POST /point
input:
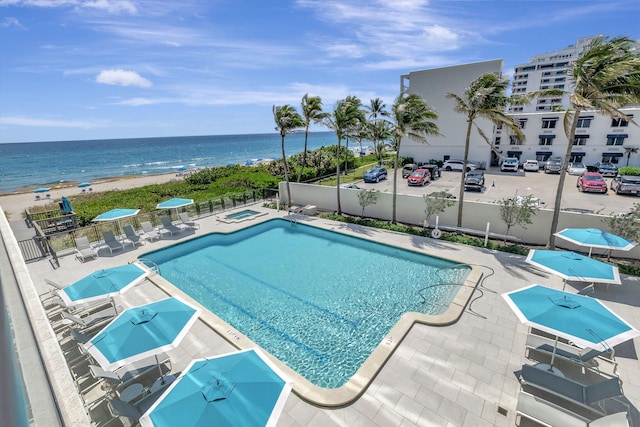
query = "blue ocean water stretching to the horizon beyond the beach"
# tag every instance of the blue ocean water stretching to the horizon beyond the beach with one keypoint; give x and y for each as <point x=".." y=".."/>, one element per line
<point x="40" y="164"/>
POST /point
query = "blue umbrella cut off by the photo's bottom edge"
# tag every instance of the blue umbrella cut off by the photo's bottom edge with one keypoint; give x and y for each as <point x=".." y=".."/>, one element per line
<point x="238" y="389"/>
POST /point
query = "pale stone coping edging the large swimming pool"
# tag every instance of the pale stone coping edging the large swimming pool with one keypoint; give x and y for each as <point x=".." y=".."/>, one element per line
<point x="360" y="381"/>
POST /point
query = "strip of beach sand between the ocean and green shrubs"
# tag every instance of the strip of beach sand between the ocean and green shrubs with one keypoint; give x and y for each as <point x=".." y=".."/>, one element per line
<point x="15" y="204"/>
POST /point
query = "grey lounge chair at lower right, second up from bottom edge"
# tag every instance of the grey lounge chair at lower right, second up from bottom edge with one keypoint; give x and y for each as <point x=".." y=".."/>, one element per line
<point x="571" y="390"/>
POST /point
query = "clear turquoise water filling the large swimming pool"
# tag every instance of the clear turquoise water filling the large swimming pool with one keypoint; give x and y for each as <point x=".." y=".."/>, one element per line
<point x="317" y="300"/>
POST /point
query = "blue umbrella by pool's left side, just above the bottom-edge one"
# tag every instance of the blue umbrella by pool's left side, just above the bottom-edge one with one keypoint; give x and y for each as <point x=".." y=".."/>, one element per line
<point x="142" y="332"/>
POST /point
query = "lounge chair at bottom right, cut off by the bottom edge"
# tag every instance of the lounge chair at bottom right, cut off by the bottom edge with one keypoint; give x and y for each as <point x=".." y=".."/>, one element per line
<point x="549" y="414"/>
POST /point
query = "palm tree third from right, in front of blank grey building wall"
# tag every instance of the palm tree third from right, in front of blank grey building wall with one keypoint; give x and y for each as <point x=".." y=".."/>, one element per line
<point x="411" y="118"/>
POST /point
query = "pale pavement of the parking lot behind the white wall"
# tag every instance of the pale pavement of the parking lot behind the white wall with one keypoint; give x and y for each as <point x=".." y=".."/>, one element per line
<point x="500" y="185"/>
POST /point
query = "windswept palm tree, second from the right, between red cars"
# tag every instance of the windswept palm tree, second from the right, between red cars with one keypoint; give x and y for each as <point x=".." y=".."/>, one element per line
<point x="485" y="98"/>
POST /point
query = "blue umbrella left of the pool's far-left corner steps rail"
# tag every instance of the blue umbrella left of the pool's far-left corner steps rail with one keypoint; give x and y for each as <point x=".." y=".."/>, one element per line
<point x="103" y="284"/>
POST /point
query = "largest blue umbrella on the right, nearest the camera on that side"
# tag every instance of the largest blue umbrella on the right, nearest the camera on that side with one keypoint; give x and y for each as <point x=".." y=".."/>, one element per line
<point x="583" y="320"/>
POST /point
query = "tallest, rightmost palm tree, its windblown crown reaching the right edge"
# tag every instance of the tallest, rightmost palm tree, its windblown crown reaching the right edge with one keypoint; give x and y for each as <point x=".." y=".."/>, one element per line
<point x="606" y="77"/>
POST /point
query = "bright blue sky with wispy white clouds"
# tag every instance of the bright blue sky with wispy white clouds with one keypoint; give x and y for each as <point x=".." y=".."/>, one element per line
<point x="94" y="69"/>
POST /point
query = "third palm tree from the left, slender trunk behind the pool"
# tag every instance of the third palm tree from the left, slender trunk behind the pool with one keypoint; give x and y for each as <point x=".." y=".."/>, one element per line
<point x="346" y="117"/>
